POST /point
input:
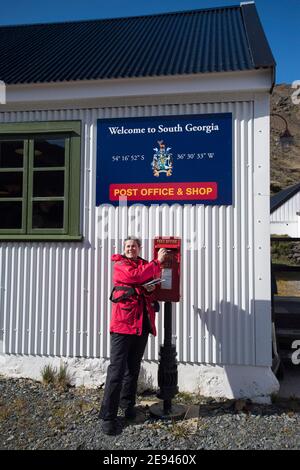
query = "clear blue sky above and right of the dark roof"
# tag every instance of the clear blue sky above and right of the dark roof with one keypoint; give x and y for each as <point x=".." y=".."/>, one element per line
<point x="280" y="19"/>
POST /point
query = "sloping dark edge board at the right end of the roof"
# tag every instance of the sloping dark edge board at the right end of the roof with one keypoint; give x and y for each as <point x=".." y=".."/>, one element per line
<point x="259" y="47"/>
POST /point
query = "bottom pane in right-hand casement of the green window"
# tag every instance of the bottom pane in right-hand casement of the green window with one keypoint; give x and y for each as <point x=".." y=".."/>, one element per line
<point x="48" y="214"/>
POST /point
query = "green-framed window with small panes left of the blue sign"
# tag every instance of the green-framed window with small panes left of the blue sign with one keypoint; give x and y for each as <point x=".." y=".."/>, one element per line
<point x="40" y="180"/>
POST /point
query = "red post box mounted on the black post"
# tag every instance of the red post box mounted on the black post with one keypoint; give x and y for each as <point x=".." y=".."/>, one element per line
<point x="169" y="289"/>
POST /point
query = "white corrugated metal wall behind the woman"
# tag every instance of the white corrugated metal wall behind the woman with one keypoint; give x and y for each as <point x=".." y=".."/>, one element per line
<point x="54" y="296"/>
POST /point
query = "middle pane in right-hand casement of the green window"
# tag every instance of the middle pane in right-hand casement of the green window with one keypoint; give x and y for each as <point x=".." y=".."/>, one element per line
<point x="48" y="183"/>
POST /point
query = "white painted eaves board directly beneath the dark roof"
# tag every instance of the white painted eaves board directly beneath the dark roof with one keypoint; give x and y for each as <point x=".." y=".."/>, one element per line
<point x="93" y="92"/>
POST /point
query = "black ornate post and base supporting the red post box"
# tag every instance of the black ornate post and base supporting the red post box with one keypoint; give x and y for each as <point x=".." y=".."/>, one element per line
<point x="167" y="373"/>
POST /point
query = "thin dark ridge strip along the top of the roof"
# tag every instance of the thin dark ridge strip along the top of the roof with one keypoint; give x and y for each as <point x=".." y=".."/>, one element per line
<point x="89" y="20"/>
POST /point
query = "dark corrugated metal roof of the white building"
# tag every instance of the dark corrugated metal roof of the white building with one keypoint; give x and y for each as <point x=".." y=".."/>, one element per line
<point x="198" y="41"/>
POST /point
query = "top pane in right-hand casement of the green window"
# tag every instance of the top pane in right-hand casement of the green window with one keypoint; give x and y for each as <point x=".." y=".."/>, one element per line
<point x="49" y="152"/>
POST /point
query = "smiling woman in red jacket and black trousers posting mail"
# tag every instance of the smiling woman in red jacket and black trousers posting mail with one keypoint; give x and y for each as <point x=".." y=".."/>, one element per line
<point x="133" y="318"/>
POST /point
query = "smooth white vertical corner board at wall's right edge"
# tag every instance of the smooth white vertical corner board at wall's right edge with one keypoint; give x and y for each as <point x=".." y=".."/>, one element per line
<point x="262" y="282"/>
